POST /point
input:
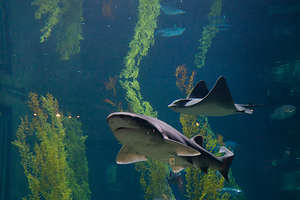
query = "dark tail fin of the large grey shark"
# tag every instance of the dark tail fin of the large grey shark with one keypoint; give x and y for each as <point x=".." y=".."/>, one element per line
<point x="227" y="160"/>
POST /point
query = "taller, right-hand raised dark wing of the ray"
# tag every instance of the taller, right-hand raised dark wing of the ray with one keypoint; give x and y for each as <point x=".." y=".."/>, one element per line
<point x="220" y="94"/>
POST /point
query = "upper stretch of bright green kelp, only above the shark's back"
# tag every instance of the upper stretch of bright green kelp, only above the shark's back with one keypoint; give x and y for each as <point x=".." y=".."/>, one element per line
<point x="138" y="48"/>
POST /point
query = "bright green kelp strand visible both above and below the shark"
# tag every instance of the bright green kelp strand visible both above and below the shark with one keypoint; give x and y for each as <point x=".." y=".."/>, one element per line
<point x="153" y="174"/>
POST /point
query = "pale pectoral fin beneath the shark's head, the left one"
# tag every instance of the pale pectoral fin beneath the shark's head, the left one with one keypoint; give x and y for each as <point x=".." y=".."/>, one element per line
<point x="126" y="156"/>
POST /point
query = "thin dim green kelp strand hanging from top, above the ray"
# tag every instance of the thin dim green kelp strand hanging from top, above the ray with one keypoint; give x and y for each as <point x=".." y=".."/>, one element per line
<point x="208" y="34"/>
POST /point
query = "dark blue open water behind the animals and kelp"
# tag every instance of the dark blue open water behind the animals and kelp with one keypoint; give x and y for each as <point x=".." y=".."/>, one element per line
<point x="244" y="54"/>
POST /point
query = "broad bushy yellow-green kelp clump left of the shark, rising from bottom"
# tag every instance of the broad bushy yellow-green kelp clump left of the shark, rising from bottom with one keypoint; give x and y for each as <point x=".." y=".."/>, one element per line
<point x="52" y="152"/>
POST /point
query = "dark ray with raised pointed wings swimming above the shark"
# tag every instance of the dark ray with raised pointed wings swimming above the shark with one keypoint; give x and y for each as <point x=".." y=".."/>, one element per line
<point x="216" y="102"/>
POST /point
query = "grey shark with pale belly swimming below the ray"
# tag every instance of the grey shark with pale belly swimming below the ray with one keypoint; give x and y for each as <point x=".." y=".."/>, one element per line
<point x="143" y="137"/>
